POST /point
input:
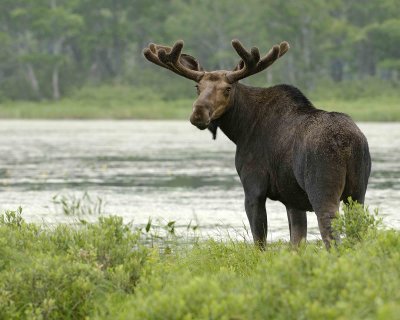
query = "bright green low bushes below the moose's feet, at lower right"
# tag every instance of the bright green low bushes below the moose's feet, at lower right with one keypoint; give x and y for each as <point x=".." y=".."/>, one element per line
<point x="217" y="280"/>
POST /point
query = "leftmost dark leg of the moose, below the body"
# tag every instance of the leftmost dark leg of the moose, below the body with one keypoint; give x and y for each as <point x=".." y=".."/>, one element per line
<point x="257" y="215"/>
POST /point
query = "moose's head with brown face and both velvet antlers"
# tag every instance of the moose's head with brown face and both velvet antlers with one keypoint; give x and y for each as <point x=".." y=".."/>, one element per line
<point x="215" y="89"/>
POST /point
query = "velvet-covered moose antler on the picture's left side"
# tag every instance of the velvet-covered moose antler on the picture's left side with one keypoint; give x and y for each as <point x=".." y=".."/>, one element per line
<point x="172" y="59"/>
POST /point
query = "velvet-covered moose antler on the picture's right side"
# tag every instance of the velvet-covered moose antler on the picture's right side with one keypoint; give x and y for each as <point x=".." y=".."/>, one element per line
<point x="251" y="62"/>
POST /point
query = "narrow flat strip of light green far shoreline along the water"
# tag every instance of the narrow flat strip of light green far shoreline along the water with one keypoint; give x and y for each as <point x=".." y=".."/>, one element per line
<point x="377" y="109"/>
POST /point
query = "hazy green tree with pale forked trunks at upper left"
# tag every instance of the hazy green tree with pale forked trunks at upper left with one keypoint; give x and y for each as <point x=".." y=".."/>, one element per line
<point x="45" y="29"/>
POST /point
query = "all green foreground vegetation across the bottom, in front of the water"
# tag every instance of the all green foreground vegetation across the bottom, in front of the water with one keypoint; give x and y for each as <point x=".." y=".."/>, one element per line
<point x="108" y="270"/>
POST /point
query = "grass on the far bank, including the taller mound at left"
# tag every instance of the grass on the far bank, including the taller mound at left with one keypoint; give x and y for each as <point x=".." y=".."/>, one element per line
<point x="122" y="102"/>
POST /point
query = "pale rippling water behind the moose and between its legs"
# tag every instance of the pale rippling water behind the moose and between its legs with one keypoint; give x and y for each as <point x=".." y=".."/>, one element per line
<point x="167" y="170"/>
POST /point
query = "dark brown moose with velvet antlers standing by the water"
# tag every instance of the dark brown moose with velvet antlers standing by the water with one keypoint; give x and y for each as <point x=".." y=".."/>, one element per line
<point x="286" y="149"/>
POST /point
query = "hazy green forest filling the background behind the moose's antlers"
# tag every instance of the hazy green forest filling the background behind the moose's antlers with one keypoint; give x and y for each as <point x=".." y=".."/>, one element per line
<point x="49" y="48"/>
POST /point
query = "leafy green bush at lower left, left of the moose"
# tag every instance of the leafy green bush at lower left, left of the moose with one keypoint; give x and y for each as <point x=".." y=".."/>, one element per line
<point x="66" y="271"/>
